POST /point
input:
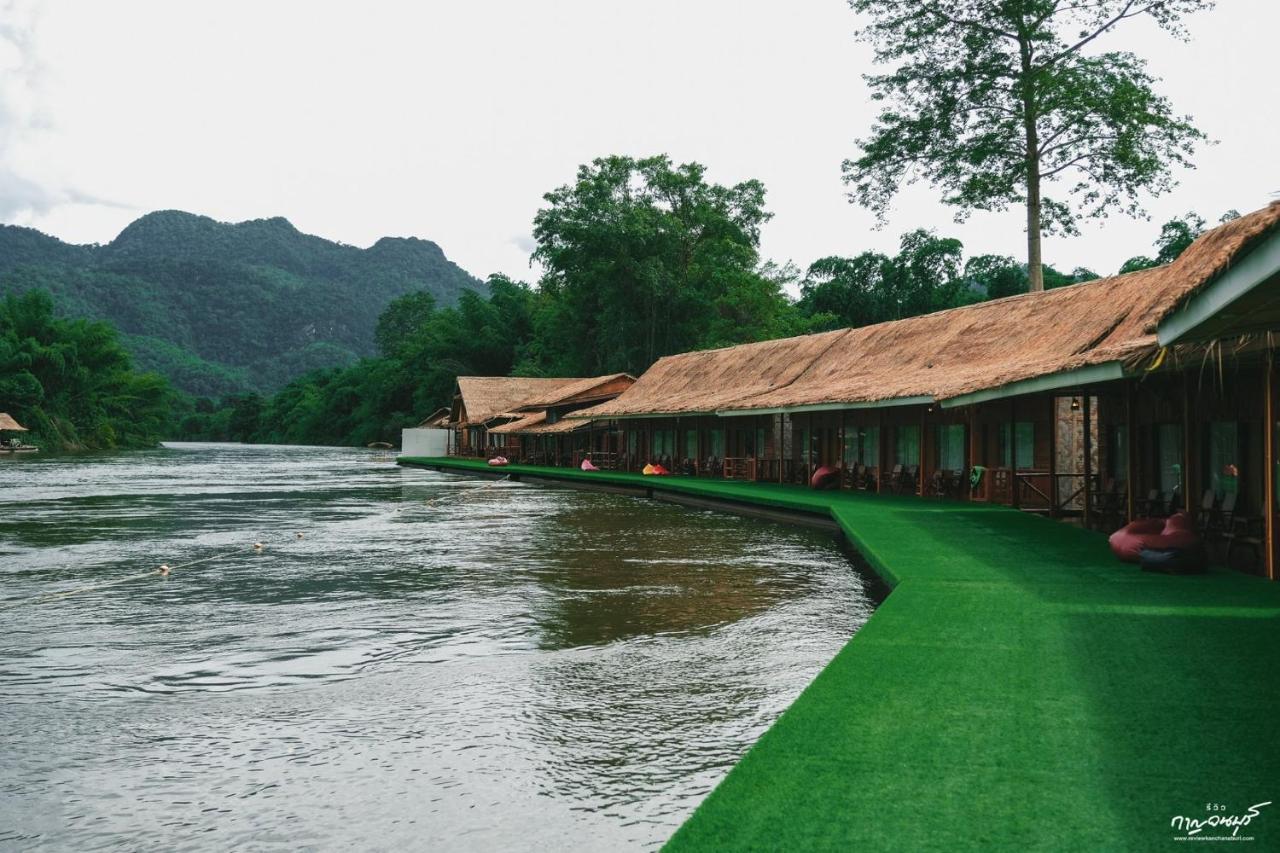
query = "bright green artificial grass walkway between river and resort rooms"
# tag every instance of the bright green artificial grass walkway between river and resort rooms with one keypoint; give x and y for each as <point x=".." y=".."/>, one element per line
<point x="1018" y="690"/>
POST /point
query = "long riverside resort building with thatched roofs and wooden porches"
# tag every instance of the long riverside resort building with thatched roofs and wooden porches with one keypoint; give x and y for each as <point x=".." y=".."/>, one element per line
<point x="1118" y="399"/>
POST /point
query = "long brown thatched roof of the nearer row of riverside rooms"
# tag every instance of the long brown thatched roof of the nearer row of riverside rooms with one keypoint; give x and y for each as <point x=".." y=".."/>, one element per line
<point x="944" y="355"/>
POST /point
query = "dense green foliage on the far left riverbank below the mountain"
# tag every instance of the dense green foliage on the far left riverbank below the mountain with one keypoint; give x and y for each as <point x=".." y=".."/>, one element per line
<point x="72" y="384"/>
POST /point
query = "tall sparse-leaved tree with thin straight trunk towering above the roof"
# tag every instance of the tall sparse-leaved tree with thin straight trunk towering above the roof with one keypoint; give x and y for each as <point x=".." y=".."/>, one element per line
<point x="991" y="101"/>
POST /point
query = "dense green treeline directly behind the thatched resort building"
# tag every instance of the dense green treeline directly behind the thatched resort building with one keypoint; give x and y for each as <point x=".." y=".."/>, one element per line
<point x="680" y="257"/>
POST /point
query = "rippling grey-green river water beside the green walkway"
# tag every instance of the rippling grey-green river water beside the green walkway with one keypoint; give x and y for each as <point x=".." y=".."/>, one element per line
<point x="438" y="663"/>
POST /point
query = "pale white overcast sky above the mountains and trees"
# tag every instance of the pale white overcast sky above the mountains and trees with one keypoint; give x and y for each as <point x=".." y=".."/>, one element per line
<point x="449" y="121"/>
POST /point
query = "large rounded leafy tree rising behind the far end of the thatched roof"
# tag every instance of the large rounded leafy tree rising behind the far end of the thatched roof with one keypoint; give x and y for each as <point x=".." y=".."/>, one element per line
<point x="641" y="256"/>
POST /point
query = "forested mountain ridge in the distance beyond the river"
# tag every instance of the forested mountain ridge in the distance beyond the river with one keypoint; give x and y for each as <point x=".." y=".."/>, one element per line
<point x="225" y="308"/>
